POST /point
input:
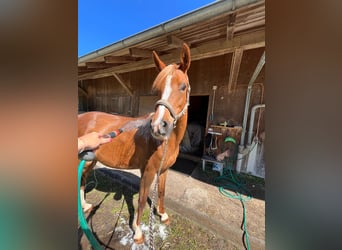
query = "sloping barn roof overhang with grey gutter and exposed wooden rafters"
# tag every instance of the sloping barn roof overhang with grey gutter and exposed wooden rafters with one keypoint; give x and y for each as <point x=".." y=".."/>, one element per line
<point x="213" y="30"/>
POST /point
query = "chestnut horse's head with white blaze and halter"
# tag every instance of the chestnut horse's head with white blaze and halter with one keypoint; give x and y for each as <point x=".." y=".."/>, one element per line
<point x="172" y="83"/>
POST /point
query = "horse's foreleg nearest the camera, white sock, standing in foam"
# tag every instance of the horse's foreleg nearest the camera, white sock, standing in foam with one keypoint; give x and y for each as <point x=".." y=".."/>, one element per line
<point x="145" y="184"/>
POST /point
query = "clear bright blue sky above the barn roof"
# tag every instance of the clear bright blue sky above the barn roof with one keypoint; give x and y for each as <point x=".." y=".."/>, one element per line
<point x="104" y="22"/>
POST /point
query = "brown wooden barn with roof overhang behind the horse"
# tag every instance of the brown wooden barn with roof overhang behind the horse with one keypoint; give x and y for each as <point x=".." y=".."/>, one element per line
<point x="227" y="42"/>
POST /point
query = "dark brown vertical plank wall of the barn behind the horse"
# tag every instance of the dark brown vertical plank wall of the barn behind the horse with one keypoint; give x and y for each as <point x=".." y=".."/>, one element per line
<point x="107" y="94"/>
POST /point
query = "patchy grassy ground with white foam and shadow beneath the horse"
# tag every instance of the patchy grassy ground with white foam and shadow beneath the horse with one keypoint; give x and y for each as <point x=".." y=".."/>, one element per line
<point x="114" y="194"/>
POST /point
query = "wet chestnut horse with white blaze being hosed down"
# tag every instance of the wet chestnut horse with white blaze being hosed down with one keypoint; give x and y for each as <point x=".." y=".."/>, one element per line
<point x="144" y="147"/>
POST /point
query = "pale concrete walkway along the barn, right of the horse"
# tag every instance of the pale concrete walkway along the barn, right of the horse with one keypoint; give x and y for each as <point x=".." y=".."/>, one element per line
<point x="190" y="192"/>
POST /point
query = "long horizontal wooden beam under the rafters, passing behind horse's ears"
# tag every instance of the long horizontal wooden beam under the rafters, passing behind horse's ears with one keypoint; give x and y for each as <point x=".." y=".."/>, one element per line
<point x="210" y="49"/>
